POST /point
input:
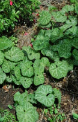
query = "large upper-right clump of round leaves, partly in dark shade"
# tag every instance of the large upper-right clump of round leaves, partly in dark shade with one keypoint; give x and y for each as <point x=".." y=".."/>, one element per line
<point x="59" y="44"/>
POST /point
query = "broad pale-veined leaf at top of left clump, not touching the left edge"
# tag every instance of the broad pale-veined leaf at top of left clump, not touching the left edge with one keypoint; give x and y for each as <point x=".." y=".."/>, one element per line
<point x="14" y="54"/>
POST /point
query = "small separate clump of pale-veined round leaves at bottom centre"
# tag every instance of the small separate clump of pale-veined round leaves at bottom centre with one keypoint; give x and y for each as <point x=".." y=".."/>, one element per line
<point x="44" y="94"/>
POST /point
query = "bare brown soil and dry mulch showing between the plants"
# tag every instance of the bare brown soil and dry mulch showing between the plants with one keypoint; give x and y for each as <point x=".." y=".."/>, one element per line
<point x="68" y="85"/>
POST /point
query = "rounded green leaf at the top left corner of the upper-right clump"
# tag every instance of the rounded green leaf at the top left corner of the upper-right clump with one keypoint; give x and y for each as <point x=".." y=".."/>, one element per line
<point x="45" y="17"/>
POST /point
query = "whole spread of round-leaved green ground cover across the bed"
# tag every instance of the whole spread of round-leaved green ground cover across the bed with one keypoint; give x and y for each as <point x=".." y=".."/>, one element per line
<point x="55" y="50"/>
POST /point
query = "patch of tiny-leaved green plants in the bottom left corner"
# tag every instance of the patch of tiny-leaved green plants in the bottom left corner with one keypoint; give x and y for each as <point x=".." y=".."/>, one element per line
<point x="6" y="116"/>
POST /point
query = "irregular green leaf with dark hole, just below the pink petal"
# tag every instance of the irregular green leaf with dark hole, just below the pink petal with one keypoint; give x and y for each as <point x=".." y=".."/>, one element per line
<point x="31" y="53"/>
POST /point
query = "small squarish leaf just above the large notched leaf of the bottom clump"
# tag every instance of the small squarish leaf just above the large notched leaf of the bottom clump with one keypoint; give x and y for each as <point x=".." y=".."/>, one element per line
<point x="38" y="79"/>
